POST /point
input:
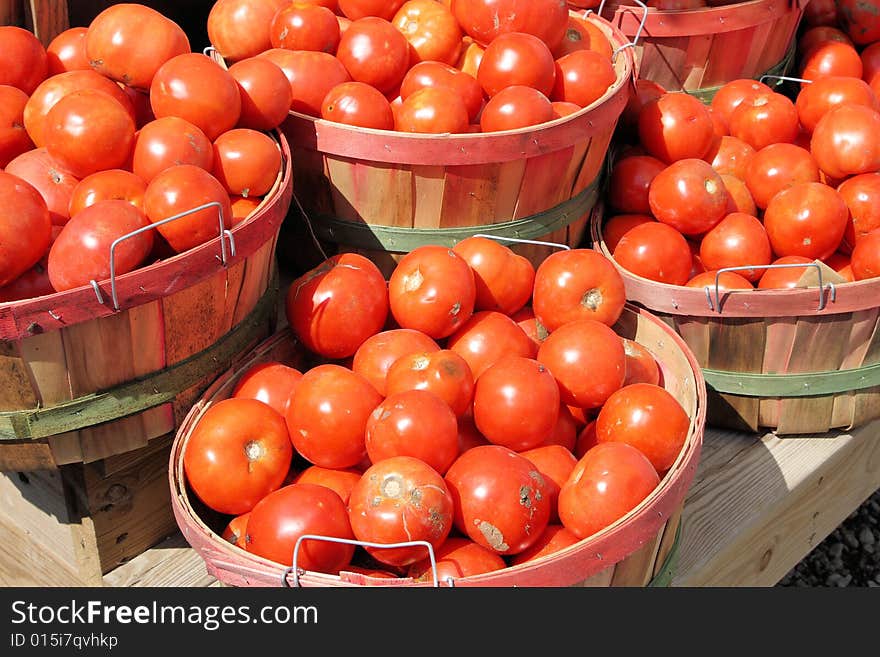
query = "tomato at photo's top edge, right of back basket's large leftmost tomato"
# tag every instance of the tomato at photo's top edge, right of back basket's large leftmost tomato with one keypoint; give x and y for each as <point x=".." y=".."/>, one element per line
<point x="304" y="27"/>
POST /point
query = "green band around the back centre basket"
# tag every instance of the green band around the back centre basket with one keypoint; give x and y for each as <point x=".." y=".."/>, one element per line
<point x="404" y="239"/>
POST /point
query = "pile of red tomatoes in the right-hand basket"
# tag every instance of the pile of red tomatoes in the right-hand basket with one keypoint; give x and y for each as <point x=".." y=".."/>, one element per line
<point x="759" y="177"/>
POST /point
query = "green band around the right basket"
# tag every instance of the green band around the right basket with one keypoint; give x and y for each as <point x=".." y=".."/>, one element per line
<point x="793" y="385"/>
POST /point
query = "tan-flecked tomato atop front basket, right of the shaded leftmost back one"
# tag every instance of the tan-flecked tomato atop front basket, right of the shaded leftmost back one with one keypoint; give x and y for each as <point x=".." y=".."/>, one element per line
<point x="432" y="289"/>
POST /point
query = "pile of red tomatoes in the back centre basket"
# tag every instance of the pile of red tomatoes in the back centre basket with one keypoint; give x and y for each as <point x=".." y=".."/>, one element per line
<point x="423" y="66"/>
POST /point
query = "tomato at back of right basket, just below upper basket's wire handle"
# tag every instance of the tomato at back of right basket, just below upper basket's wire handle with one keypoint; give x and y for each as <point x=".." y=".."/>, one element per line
<point x="765" y="119"/>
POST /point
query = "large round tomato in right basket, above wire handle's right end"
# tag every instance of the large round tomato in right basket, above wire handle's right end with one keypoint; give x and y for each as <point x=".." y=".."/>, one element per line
<point x="807" y="219"/>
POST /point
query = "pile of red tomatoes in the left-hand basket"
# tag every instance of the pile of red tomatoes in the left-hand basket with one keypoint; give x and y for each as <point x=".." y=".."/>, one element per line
<point x="117" y="126"/>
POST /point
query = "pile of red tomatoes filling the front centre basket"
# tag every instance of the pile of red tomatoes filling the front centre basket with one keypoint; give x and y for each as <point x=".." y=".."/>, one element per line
<point x="471" y="402"/>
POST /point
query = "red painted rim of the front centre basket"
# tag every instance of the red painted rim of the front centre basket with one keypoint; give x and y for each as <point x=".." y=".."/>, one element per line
<point x="585" y="558"/>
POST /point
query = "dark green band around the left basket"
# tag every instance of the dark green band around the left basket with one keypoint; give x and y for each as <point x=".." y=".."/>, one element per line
<point x="146" y="392"/>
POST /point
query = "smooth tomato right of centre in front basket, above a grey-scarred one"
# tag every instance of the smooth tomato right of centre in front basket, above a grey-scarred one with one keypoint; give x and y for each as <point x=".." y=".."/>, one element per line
<point x="516" y="403"/>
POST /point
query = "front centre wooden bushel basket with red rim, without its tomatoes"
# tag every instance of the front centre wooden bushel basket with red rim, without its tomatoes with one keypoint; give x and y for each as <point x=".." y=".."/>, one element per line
<point x="636" y="550"/>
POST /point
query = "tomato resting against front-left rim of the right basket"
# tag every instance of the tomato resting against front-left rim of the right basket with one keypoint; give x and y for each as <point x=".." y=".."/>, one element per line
<point x="655" y="251"/>
